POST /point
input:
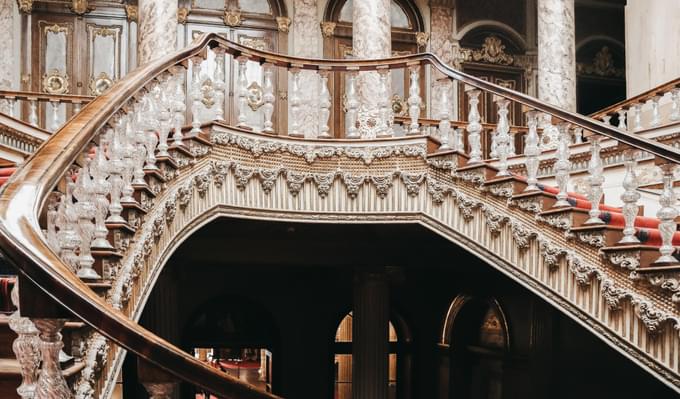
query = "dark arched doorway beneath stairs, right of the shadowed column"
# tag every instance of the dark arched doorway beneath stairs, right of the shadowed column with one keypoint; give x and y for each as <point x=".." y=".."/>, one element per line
<point x="476" y="336"/>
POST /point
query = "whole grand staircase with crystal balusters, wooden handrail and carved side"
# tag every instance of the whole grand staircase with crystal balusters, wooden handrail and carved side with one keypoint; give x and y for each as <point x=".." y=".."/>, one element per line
<point x="90" y="219"/>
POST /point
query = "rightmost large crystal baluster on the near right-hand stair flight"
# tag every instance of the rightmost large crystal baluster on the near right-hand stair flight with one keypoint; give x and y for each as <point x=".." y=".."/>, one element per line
<point x="667" y="214"/>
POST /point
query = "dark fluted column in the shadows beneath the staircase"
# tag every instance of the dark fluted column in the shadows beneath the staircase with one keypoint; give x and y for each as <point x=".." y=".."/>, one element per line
<point x="370" y="333"/>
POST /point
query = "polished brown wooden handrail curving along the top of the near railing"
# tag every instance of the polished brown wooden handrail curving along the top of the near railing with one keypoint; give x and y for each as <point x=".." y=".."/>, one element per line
<point x="25" y="194"/>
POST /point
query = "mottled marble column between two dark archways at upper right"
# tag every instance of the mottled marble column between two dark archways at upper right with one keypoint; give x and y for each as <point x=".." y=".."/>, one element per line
<point x="557" y="53"/>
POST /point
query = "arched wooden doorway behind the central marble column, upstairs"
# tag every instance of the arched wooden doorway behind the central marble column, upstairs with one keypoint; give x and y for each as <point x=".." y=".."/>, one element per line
<point x="407" y="26"/>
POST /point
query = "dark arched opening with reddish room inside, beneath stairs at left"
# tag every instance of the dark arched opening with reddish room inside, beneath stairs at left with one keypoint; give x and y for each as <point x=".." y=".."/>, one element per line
<point x="237" y="336"/>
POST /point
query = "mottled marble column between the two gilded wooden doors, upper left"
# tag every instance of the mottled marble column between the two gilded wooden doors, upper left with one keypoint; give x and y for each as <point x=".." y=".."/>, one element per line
<point x="157" y="29"/>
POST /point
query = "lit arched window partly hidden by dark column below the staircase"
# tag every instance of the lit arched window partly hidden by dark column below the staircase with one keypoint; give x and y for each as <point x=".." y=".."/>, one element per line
<point x="398" y="360"/>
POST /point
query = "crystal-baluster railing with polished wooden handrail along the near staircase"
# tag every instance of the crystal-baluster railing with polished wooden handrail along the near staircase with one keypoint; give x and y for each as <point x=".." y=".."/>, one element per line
<point x="94" y="182"/>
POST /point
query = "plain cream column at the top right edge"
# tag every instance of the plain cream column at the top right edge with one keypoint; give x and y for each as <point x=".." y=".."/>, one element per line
<point x="652" y="35"/>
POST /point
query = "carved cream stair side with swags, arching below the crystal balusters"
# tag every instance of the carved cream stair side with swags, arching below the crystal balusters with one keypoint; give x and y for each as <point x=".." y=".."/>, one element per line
<point x="244" y="175"/>
